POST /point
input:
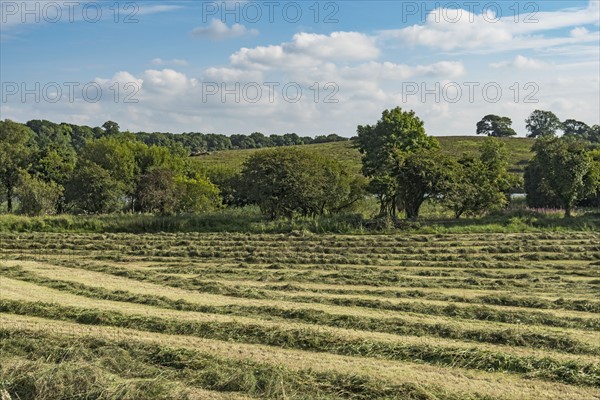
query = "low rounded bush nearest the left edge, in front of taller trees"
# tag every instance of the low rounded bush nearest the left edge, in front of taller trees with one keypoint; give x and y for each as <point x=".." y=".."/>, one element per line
<point x="36" y="196"/>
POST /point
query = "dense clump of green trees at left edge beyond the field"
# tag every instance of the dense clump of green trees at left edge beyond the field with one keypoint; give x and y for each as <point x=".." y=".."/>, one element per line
<point x="51" y="168"/>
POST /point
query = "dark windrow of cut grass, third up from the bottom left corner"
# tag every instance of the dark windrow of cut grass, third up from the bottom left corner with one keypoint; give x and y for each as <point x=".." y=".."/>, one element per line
<point x="504" y="336"/>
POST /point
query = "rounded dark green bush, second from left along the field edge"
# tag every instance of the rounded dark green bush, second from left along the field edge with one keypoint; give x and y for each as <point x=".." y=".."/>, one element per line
<point x="93" y="190"/>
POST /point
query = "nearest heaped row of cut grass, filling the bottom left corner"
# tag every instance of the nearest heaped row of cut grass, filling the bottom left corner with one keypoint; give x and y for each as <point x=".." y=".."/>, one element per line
<point x="59" y="357"/>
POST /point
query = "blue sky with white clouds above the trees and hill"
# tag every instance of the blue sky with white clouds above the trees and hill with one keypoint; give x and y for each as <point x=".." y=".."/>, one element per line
<point x="308" y="67"/>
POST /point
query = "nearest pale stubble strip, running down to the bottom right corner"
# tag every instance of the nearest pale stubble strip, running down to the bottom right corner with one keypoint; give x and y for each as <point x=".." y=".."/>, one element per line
<point x="446" y="381"/>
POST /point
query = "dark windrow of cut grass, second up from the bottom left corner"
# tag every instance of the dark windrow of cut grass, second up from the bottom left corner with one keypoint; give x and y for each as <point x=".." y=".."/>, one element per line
<point x="570" y="372"/>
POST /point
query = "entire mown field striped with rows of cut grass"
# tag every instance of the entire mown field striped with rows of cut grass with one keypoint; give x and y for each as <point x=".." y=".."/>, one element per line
<point x="300" y="316"/>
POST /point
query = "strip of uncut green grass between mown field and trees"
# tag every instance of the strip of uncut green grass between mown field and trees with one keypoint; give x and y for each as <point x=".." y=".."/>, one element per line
<point x="249" y="220"/>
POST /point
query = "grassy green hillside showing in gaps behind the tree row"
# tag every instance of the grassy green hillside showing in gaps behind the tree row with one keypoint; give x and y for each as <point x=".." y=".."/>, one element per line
<point x="519" y="150"/>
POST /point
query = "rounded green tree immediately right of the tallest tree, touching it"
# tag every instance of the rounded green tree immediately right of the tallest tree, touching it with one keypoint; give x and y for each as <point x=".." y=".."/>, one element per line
<point x="422" y="174"/>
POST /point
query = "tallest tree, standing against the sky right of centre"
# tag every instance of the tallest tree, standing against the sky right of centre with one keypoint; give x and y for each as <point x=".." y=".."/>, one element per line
<point x="379" y="144"/>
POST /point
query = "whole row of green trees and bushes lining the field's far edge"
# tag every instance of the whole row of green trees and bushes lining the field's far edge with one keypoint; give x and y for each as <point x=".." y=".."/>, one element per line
<point x="63" y="168"/>
